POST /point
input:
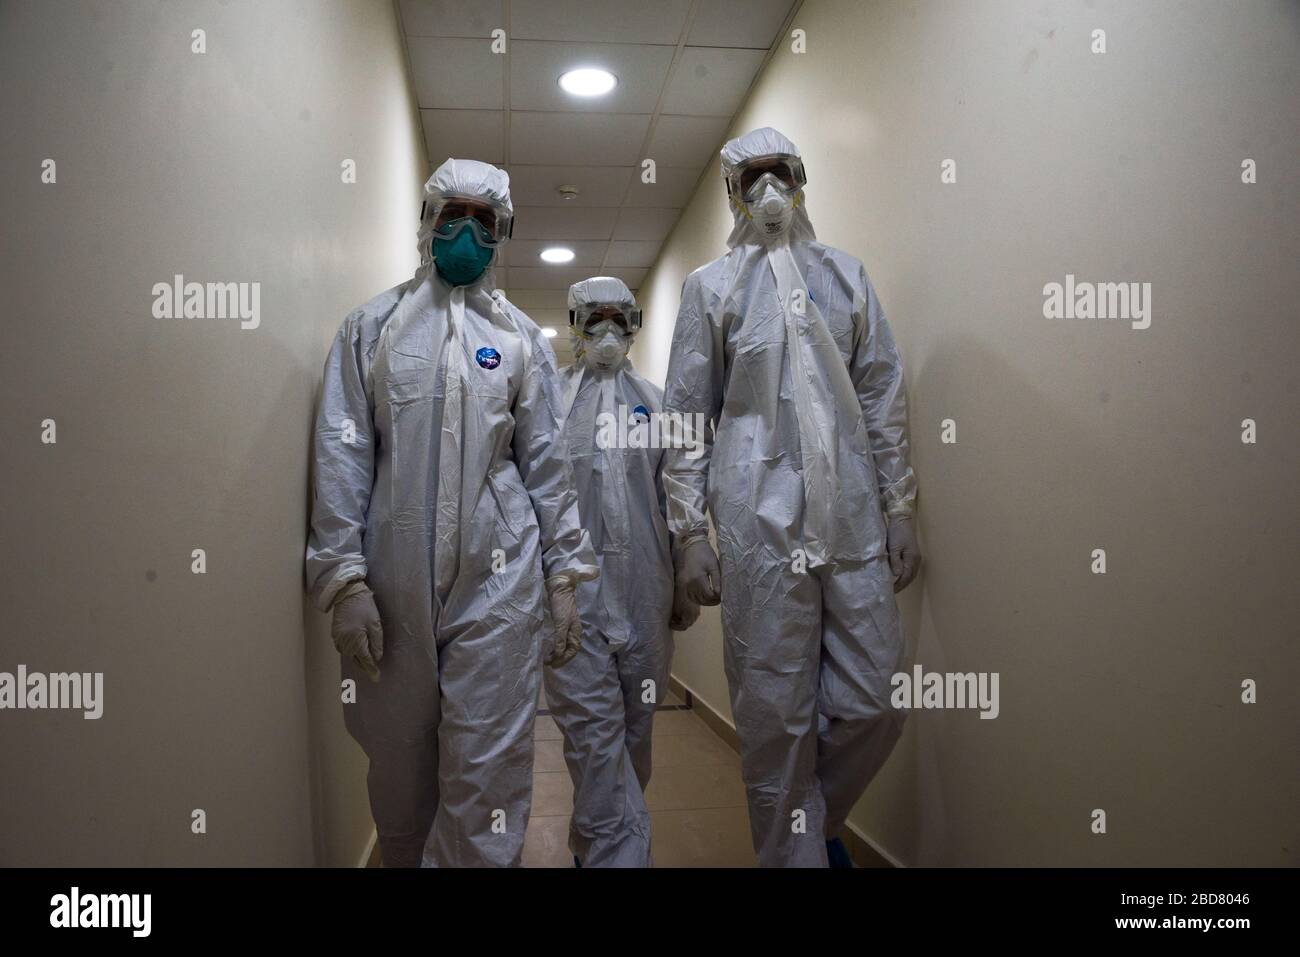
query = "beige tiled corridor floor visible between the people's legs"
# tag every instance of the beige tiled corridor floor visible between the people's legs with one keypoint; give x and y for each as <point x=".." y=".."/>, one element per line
<point x="696" y="798"/>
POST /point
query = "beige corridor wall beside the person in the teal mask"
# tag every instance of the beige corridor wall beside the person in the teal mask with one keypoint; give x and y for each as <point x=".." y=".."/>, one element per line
<point x="181" y="435"/>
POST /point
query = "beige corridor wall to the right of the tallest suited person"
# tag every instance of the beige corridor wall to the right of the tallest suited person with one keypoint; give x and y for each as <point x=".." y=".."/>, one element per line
<point x="1121" y="691"/>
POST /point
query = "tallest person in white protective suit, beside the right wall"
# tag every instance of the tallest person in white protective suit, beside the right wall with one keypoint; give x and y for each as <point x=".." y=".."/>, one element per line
<point x="783" y="347"/>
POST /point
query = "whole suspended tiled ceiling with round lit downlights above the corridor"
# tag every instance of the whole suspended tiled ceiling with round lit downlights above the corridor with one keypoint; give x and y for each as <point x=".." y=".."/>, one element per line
<point x="683" y="70"/>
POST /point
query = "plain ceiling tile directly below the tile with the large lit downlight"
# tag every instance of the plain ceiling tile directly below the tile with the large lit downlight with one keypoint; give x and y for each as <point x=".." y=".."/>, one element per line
<point x="597" y="140"/>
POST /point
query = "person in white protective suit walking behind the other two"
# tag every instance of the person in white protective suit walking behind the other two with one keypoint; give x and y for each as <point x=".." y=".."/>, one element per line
<point x="604" y="701"/>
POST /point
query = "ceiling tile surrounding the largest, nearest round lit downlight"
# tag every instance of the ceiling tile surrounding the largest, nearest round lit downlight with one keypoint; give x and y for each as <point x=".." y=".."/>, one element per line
<point x="536" y="68"/>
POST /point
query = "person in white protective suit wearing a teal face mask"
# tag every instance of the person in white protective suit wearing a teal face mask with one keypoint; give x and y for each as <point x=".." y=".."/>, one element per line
<point x="444" y="505"/>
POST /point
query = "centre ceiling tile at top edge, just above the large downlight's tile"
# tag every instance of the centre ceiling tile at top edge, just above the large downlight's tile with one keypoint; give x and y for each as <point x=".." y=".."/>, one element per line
<point x="612" y="21"/>
